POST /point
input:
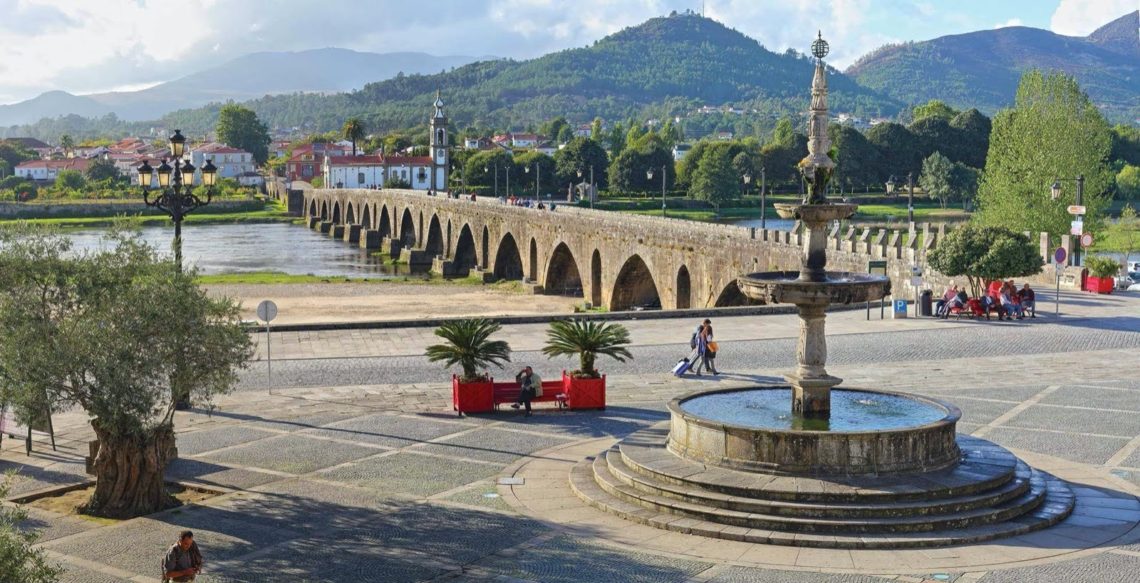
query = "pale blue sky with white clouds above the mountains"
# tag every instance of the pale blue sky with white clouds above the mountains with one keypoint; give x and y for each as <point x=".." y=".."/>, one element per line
<point x="89" y="46"/>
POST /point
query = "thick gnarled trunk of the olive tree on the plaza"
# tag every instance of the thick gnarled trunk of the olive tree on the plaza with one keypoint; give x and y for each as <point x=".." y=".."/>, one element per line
<point x="129" y="473"/>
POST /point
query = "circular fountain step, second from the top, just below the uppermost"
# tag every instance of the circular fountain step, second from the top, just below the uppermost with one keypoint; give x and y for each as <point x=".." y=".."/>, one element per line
<point x="862" y="509"/>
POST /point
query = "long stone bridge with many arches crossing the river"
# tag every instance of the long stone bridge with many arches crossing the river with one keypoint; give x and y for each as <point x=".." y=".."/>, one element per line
<point x="617" y="261"/>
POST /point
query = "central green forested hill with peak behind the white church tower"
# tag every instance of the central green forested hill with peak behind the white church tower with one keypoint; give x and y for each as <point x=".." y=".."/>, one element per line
<point x="664" y="67"/>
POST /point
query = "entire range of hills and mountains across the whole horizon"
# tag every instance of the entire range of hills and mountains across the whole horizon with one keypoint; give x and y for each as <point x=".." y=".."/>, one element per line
<point x="663" y="68"/>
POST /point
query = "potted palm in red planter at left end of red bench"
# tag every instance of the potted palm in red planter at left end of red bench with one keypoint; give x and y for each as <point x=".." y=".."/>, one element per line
<point x="468" y="345"/>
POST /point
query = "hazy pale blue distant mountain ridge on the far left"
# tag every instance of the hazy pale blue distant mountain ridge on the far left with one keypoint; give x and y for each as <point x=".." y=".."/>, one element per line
<point x="320" y="71"/>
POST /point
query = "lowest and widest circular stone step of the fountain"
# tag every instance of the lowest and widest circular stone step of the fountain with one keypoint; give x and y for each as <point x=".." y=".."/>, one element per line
<point x="1056" y="503"/>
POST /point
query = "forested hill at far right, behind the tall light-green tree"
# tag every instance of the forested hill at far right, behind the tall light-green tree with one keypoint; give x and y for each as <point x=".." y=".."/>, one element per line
<point x="982" y="69"/>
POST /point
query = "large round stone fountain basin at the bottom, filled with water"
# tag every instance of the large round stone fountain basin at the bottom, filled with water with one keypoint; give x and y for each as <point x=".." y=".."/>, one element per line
<point x="744" y="430"/>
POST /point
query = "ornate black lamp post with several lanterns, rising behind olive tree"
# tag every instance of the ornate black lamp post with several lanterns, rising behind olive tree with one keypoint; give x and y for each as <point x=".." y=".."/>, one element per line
<point x="175" y="196"/>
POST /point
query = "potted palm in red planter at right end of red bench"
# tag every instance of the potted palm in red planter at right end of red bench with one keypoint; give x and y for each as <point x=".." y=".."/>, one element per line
<point x="585" y="388"/>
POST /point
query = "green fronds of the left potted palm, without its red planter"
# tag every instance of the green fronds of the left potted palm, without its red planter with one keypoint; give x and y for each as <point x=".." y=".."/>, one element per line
<point x="468" y="346"/>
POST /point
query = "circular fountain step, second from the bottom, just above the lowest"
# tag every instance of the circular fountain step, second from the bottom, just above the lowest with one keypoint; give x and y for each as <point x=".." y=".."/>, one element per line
<point x="887" y="523"/>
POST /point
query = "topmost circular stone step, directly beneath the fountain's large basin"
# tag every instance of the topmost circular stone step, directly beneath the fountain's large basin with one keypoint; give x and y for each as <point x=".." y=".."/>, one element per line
<point x="986" y="466"/>
